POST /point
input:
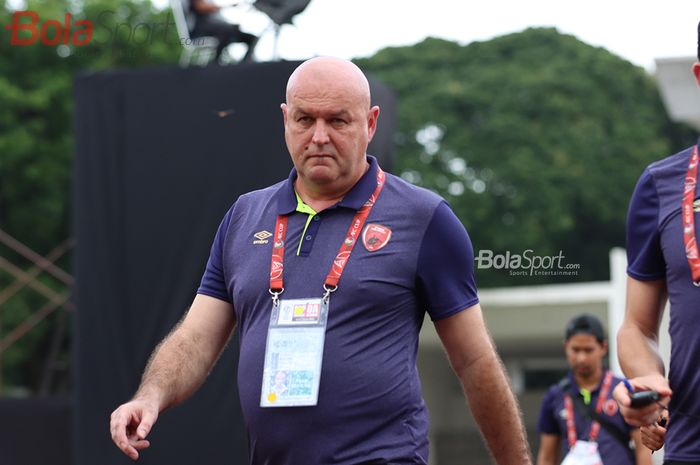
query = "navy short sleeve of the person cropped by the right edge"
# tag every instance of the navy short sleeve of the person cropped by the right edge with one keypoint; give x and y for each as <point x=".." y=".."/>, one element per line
<point x="644" y="256"/>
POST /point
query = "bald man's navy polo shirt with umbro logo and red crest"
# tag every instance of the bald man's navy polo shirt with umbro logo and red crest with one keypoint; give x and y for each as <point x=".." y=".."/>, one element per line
<point x="370" y="407"/>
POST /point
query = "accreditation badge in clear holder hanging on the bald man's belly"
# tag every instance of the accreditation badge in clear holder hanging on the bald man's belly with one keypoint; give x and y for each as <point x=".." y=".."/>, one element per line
<point x="294" y="353"/>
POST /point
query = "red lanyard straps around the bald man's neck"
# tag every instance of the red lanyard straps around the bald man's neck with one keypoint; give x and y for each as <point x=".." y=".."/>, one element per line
<point x="341" y="259"/>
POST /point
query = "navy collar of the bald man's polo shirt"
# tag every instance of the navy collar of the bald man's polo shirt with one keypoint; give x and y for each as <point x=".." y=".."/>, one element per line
<point x="355" y="199"/>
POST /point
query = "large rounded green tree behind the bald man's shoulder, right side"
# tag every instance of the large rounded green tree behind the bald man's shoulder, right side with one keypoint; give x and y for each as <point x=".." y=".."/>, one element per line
<point x="536" y="139"/>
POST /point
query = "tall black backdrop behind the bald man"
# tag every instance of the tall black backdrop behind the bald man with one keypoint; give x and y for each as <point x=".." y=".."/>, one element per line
<point x="160" y="156"/>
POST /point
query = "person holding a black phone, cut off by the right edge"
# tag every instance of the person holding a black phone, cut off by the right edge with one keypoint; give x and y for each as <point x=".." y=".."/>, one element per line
<point x="664" y="265"/>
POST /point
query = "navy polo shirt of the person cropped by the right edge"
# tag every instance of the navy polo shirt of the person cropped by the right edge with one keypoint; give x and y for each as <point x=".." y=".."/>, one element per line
<point x="655" y="250"/>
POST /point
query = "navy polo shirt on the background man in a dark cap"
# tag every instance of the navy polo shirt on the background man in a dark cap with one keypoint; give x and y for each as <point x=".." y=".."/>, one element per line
<point x="552" y="420"/>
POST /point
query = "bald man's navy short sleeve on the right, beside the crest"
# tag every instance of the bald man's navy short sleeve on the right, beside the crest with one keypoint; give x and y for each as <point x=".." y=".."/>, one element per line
<point x="445" y="271"/>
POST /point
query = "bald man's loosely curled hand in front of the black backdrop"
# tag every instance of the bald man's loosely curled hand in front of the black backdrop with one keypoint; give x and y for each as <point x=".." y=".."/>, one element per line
<point x="130" y="424"/>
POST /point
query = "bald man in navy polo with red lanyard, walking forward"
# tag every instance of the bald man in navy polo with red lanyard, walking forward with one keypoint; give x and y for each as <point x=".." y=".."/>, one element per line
<point x="334" y="300"/>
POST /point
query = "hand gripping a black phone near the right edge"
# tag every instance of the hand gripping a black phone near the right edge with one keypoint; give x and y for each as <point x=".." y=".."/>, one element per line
<point x="643" y="416"/>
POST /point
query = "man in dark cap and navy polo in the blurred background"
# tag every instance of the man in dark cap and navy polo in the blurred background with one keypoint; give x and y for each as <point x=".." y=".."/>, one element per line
<point x="588" y="387"/>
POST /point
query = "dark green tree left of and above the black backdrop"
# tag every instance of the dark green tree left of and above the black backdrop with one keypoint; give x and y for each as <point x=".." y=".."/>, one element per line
<point x="36" y="147"/>
